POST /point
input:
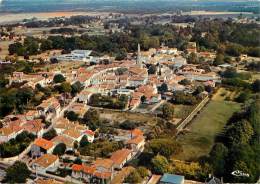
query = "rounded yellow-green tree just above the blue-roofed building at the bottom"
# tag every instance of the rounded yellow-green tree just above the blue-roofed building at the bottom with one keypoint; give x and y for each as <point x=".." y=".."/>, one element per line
<point x="160" y="164"/>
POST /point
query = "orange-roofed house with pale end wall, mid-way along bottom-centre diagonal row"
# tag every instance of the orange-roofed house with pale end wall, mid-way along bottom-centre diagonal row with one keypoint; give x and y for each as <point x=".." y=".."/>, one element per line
<point x="121" y="157"/>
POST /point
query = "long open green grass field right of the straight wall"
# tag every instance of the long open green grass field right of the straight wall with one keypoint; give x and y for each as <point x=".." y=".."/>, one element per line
<point x="203" y="129"/>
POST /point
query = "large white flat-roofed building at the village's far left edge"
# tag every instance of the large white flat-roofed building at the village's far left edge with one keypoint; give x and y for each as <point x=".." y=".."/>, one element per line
<point x="76" y="55"/>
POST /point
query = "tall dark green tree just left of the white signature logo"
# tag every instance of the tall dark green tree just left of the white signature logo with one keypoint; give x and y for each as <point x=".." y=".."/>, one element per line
<point x="218" y="156"/>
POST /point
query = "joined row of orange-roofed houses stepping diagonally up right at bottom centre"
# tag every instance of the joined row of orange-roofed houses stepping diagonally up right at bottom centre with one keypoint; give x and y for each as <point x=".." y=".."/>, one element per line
<point x="103" y="170"/>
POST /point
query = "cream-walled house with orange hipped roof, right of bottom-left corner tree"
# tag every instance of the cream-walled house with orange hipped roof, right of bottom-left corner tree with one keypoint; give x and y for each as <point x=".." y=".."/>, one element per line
<point x="46" y="162"/>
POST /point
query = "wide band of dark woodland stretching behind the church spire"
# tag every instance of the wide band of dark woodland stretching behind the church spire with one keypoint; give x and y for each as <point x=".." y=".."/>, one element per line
<point x="226" y="37"/>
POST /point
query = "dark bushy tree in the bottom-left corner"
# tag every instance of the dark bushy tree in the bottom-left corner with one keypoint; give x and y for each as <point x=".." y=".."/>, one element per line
<point x="17" y="173"/>
